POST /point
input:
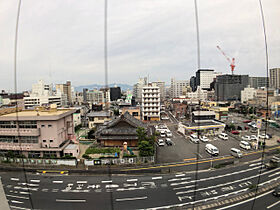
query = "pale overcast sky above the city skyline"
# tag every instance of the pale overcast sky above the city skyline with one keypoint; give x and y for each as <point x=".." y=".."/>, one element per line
<point x="61" y="40"/>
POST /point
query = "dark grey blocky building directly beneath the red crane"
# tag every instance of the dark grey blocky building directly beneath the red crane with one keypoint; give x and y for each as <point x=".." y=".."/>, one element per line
<point x="228" y="87"/>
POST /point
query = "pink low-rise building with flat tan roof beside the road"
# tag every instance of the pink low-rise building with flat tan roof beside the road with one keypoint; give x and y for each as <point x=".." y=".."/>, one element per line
<point x="38" y="133"/>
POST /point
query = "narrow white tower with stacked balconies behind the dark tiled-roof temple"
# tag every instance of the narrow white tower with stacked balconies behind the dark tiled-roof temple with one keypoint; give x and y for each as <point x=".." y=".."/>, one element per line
<point x="151" y="103"/>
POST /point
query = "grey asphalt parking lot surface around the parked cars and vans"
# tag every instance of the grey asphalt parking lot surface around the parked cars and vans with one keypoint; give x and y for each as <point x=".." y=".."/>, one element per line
<point x="183" y="149"/>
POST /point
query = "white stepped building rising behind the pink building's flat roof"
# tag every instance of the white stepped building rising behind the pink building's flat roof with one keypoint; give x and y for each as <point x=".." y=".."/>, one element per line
<point x="42" y="94"/>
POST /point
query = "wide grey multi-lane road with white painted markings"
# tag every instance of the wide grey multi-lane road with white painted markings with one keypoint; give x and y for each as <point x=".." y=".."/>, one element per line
<point x="153" y="191"/>
